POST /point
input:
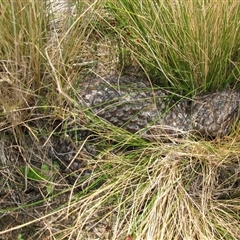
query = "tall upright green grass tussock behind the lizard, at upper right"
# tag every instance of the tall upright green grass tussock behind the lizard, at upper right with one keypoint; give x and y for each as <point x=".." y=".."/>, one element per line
<point x="187" y="45"/>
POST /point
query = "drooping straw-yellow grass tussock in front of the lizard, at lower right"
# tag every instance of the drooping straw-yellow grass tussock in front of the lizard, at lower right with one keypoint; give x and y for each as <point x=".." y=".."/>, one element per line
<point x="184" y="192"/>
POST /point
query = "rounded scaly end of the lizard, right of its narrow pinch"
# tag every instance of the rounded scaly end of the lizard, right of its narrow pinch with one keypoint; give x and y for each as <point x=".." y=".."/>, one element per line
<point x="213" y="114"/>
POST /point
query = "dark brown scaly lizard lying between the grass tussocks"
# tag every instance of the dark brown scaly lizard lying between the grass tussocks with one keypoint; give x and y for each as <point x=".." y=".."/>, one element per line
<point x="133" y="104"/>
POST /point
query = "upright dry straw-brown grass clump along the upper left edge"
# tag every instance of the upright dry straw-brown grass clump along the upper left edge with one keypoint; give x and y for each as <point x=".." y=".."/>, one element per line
<point x="22" y="64"/>
